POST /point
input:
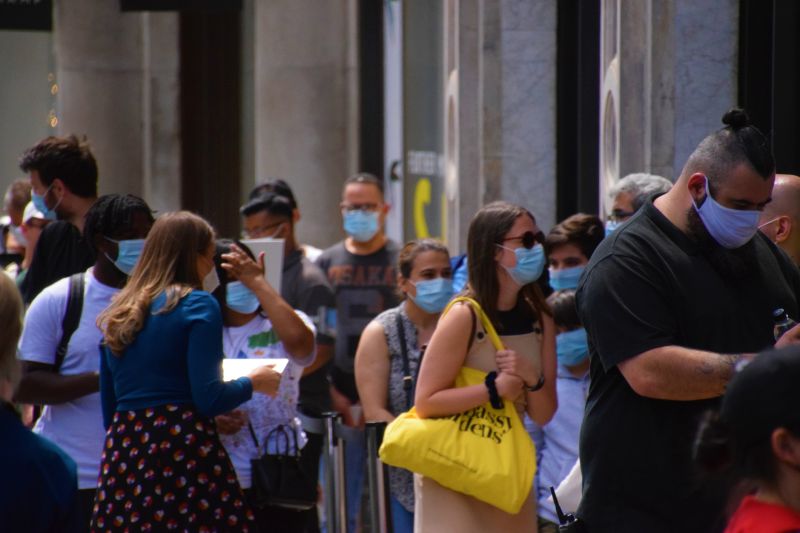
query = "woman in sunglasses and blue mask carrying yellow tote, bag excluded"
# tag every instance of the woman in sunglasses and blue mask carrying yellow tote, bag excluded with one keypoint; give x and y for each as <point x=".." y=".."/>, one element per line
<point x="506" y="257"/>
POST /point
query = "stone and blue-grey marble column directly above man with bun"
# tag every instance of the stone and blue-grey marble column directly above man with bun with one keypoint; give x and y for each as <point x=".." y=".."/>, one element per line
<point x="678" y="76"/>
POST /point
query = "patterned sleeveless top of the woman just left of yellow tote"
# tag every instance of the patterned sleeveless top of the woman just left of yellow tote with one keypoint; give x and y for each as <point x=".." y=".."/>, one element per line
<point x="401" y="482"/>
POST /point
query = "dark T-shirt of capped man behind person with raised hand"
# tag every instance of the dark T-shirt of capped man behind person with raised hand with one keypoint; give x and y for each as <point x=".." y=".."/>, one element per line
<point x="306" y="288"/>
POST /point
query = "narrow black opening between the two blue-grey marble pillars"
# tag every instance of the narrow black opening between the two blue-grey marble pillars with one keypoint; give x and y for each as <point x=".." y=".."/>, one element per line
<point x="577" y="107"/>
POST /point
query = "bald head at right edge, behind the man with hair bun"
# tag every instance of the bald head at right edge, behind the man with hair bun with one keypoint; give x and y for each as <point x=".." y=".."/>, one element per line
<point x="780" y="220"/>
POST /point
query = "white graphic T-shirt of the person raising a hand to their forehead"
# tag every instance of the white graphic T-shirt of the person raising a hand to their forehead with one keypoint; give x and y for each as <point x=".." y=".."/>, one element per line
<point x="257" y="340"/>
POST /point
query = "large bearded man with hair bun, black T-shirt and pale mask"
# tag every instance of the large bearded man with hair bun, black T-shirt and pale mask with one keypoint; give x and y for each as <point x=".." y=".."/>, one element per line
<point x="673" y="302"/>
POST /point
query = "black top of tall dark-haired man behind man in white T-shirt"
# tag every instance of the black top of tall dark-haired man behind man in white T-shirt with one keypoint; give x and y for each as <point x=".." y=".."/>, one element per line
<point x="60" y="252"/>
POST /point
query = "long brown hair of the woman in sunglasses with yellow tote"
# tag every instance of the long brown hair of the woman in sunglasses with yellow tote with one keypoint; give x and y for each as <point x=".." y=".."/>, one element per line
<point x="488" y="228"/>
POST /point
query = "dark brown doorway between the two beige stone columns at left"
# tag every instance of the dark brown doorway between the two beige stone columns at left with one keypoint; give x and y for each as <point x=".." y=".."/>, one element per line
<point x="210" y="53"/>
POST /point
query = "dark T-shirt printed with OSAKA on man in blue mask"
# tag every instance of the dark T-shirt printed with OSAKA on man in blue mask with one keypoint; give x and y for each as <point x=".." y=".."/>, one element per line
<point x="364" y="286"/>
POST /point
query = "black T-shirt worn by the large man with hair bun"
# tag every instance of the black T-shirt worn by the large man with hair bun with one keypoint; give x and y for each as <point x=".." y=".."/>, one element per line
<point x="648" y="286"/>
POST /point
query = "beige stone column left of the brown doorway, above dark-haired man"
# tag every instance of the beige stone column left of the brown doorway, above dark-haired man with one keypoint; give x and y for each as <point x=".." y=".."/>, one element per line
<point x="118" y="78"/>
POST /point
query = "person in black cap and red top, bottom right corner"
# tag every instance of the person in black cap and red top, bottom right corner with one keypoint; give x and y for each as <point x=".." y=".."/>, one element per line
<point x="756" y="435"/>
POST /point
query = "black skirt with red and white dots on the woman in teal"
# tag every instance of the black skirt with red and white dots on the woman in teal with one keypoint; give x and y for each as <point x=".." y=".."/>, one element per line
<point x="163" y="469"/>
